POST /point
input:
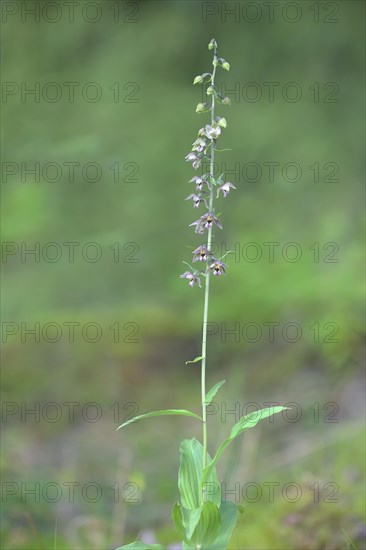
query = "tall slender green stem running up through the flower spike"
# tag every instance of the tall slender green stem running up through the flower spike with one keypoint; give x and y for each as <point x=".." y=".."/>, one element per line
<point x="207" y="288"/>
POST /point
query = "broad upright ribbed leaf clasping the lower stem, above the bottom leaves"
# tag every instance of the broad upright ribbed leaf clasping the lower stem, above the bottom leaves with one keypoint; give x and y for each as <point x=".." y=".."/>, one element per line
<point x="190" y="480"/>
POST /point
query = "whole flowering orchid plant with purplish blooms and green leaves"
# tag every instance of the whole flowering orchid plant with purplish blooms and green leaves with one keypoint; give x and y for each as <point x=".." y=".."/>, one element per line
<point x="202" y="519"/>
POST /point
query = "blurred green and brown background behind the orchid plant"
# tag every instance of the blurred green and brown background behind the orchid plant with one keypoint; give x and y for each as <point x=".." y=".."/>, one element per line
<point x="69" y="479"/>
